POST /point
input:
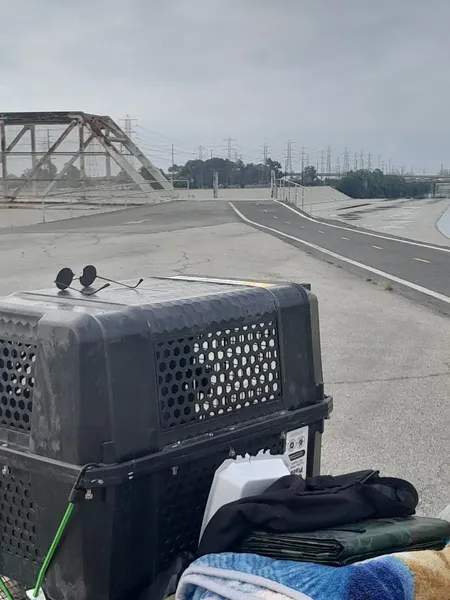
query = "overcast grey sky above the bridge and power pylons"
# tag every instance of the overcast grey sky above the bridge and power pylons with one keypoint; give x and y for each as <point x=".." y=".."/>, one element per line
<point x="367" y="74"/>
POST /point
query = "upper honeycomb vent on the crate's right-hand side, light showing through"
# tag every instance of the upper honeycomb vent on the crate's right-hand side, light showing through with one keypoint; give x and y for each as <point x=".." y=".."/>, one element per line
<point x="216" y="373"/>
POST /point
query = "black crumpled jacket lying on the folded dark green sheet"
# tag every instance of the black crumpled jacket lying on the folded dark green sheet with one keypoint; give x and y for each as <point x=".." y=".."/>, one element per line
<point x="293" y="504"/>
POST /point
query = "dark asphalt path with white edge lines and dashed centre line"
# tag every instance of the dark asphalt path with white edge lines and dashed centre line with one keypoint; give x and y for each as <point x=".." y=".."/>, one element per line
<point x="417" y="269"/>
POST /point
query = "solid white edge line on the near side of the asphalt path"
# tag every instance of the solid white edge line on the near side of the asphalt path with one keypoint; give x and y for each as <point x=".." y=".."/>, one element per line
<point x="394" y="278"/>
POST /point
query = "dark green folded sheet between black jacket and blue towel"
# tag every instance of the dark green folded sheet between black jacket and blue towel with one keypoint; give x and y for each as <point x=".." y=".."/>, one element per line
<point x="351" y="543"/>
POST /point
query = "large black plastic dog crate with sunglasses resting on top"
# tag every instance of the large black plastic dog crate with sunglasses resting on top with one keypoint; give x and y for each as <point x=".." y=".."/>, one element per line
<point x="157" y="386"/>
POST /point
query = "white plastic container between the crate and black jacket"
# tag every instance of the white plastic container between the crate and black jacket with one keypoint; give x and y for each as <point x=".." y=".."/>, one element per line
<point x="242" y="477"/>
